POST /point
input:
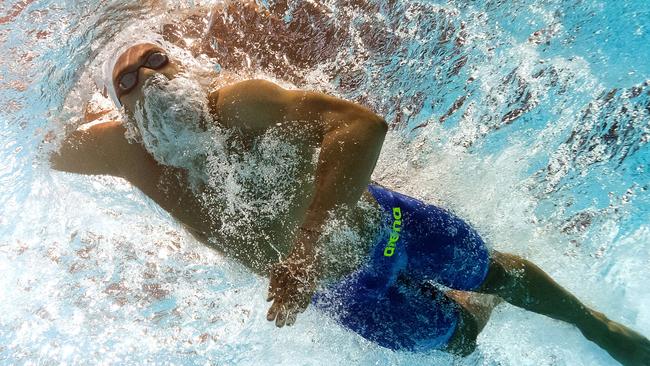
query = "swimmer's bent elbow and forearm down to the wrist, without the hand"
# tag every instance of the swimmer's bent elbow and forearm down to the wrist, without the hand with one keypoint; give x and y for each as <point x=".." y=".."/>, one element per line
<point x="350" y="138"/>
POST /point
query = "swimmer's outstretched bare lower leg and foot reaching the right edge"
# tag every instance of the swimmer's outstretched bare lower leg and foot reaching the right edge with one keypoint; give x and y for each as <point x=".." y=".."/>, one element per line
<point x="523" y="284"/>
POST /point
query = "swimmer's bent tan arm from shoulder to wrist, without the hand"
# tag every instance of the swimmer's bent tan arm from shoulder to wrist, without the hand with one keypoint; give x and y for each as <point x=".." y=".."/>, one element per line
<point x="349" y="135"/>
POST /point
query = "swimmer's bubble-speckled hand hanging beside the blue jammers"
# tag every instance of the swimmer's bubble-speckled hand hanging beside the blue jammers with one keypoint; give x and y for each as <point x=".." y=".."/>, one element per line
<point x="292" y="285"/>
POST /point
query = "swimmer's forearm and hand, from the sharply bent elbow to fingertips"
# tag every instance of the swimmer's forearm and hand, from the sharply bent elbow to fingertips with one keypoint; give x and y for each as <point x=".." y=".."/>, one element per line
<point x="350" y="139"/>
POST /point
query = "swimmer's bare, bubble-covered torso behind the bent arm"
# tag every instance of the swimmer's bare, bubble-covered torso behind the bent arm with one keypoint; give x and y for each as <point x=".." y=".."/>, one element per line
<point x="251" y="213"/>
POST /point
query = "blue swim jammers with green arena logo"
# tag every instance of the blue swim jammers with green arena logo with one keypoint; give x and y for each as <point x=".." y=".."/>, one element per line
<point x="420" y="242"/>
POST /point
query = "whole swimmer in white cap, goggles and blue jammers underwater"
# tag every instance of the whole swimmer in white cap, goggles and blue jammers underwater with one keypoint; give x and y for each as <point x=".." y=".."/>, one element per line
<point x="393" y="297"/>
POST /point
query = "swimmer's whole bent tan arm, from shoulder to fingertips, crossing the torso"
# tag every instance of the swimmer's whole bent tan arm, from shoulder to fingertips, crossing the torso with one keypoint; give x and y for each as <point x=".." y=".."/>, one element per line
<point x="350" y="139"/>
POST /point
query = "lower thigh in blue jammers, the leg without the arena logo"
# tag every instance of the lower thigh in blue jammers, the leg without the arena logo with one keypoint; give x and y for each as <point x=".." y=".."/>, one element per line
<point x="395" y="316"/>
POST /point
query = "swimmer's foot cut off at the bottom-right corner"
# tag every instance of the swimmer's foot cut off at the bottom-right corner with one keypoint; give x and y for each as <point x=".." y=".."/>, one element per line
<point x="622" y="343"/>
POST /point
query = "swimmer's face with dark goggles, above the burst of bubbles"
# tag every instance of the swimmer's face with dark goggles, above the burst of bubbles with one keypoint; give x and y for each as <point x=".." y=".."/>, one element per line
<point x="135" y="66"/>
